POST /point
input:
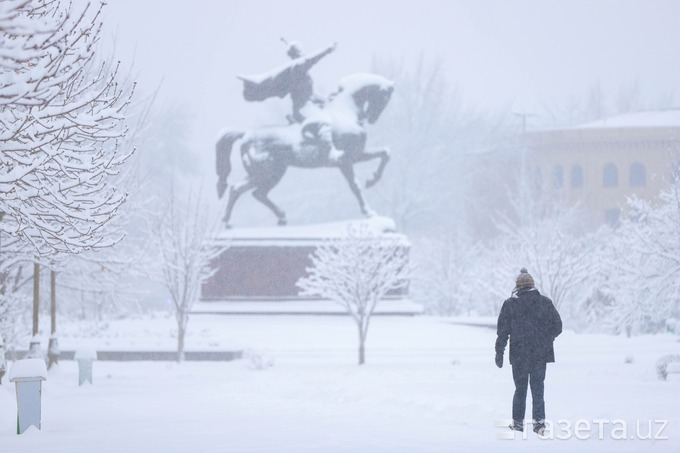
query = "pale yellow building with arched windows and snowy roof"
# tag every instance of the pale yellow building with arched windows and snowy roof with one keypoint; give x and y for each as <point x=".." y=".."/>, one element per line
<point x="609" y="160"/>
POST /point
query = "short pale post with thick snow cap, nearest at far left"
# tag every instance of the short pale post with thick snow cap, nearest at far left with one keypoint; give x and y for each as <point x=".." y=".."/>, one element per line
<point x="28" y="374"/>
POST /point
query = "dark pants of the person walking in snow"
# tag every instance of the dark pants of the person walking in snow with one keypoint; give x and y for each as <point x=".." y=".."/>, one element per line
<point x="534" y="375"/>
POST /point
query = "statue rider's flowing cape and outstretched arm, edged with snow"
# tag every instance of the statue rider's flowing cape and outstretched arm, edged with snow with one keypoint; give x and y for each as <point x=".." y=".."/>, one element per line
<point x="278" y="82"/>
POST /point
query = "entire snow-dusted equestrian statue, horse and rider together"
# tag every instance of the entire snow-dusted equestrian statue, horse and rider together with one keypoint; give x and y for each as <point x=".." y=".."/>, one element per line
<point x="323" y="133"/>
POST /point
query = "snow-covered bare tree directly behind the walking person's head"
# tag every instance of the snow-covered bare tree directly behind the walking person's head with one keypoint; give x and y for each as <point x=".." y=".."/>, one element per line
<point x="548" y="235"/>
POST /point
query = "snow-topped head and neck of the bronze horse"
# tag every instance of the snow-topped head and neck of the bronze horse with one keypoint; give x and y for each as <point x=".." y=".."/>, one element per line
<point x="369" y="95"/>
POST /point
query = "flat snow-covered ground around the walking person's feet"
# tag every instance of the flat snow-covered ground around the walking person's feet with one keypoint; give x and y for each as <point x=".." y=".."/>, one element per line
<point x="429" y="385"/>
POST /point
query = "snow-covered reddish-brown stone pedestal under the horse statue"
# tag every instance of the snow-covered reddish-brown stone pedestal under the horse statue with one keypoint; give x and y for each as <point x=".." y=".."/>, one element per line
<point x="258" y="272"/>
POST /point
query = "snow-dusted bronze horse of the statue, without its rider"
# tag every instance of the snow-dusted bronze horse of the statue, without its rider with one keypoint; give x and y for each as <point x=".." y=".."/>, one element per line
<point x="332" y="137"/>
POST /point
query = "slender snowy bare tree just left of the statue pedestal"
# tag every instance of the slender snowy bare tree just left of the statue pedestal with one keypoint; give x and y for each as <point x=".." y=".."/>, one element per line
<point x="183" y="235"/>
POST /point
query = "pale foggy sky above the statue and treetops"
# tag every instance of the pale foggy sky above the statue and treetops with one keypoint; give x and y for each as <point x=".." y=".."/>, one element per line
<point x="521" y="54"/>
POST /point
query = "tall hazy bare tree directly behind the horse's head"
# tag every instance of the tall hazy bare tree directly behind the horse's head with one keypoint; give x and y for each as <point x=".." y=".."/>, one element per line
<point x="432" y="135"/>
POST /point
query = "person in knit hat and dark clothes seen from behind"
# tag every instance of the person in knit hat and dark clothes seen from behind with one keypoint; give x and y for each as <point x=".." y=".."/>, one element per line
<point x="532" y="323"/>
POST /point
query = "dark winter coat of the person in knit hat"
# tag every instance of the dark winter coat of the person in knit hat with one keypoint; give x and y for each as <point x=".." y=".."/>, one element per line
<point x="532" y="323"/>
